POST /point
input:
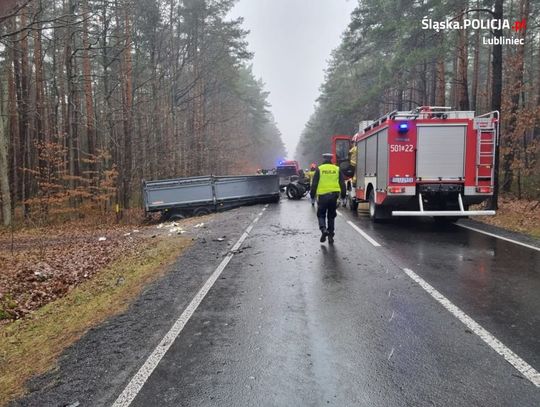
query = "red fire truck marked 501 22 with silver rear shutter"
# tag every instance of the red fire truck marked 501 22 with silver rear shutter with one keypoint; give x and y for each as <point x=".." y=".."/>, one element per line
<point x="431" y="161"/>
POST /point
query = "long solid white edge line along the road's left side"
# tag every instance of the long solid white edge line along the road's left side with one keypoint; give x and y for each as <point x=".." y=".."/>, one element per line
<point x="137" y="382"/>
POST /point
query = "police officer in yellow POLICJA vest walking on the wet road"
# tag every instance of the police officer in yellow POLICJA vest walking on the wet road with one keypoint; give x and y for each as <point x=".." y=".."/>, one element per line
<point x="328" y="185"/>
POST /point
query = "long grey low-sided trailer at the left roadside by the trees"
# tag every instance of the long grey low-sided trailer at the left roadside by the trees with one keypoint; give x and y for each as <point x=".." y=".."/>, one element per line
<point x="194" y="196"/>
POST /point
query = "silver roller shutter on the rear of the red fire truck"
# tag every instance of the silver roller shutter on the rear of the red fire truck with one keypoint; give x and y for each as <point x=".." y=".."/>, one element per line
<point x="441" y="152"/>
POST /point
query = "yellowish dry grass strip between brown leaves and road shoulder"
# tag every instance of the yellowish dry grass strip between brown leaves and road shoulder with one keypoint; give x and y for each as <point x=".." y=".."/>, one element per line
<point x="31" y="346"/>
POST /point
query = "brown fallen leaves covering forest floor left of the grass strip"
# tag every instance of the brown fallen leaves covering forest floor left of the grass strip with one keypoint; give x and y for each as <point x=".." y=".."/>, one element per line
<point x="45" y="265"/>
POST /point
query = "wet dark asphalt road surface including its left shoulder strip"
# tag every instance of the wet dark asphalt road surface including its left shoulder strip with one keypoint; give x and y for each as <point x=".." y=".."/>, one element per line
<point x="292" y="322"/>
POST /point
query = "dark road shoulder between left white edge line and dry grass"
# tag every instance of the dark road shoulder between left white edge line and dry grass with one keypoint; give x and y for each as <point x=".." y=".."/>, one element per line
<point x="95" y="367"/>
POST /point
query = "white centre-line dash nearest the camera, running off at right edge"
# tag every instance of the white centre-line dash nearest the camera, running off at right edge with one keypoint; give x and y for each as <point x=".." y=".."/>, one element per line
<point x="523" y="367"/>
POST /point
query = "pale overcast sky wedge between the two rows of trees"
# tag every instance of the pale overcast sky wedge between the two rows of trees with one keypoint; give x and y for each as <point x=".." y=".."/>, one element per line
<point x="292" y="41"/>
